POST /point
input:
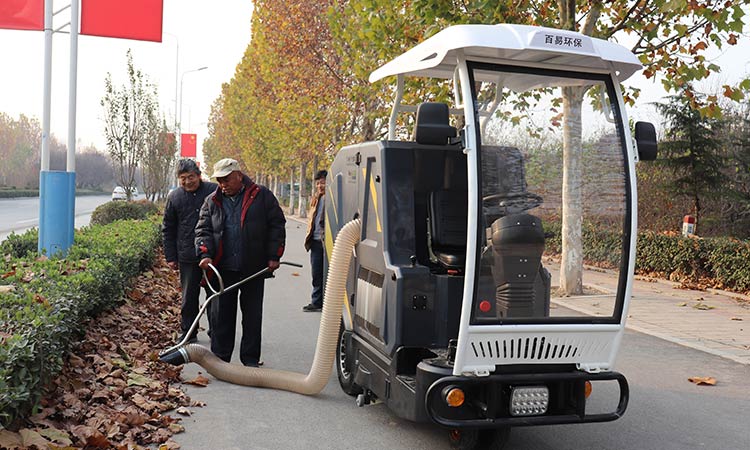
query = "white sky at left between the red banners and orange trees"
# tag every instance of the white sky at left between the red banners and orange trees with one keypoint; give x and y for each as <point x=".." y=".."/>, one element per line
<point x="213" y="34"/>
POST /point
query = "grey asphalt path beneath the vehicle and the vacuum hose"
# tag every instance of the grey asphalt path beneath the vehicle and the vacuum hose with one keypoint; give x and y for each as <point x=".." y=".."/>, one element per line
<point x="666" y="412"/>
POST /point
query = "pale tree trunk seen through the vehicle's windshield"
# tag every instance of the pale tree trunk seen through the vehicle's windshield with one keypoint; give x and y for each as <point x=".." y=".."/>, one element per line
<point x="571" y="266"/>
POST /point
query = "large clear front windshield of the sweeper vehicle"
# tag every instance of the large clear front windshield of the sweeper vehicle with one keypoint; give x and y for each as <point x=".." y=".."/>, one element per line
<point x="555" y="193"/>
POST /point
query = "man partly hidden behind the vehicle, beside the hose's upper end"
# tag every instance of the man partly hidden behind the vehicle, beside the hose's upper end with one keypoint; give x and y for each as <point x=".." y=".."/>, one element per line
<point x="314" y="241"/>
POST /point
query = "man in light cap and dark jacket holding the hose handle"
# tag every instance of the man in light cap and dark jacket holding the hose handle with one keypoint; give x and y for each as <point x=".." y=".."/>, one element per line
<point x="240" y="231"/>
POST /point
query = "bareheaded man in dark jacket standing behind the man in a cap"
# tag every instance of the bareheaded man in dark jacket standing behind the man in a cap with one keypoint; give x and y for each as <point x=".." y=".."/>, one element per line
<point x="178" y="232"/>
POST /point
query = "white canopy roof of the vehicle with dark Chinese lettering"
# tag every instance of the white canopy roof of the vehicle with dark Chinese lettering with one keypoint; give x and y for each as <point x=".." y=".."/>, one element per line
<point x="510" y="44"/>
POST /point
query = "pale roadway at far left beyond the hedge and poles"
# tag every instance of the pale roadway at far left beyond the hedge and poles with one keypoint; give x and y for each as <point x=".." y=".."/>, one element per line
<point x="20" y="214"/>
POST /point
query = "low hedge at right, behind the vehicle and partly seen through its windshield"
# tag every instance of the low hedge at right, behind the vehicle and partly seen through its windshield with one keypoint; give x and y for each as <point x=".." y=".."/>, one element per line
<point x="723" y="262"/>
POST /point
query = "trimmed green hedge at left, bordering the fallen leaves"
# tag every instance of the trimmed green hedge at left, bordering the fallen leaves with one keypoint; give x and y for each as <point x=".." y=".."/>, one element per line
<point x="52" y="298"/>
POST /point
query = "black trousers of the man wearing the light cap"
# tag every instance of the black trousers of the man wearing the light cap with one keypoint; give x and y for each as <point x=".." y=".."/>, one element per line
<point x="223" y="318"/>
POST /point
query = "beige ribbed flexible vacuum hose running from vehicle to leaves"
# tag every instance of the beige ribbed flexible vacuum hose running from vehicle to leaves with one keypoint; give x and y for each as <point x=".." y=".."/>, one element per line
<point x="325" y="352"/>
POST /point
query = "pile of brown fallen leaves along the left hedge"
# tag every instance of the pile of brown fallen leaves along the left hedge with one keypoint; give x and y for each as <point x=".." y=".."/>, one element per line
<point x="113" y="391"/>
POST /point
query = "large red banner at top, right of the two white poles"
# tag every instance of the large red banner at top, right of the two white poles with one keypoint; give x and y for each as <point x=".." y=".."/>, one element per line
<point x="126" y="19"/>
